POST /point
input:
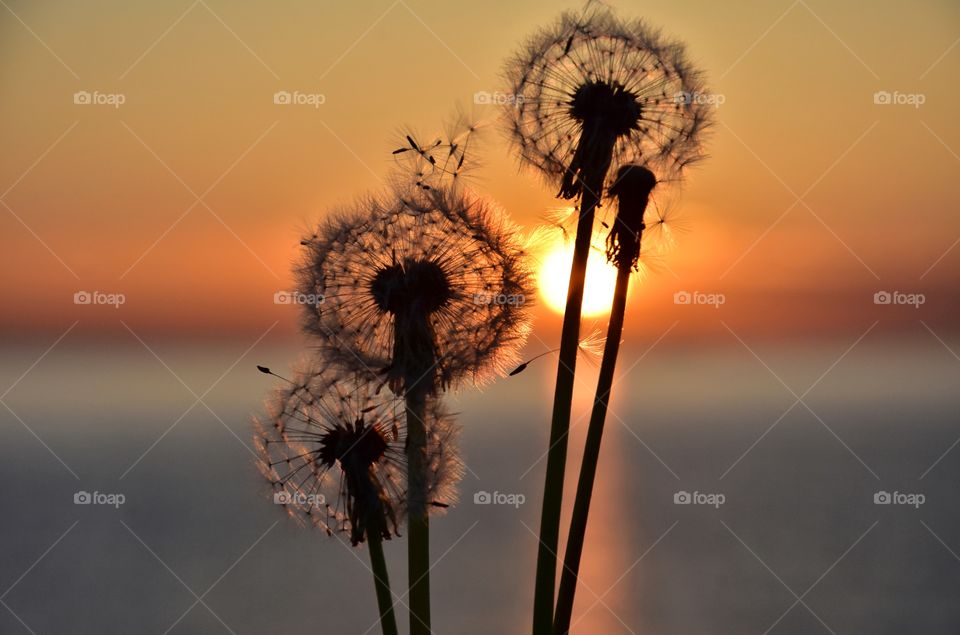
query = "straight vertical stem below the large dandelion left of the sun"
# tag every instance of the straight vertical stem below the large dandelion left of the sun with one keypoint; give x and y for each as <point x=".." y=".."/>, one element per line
<point x="418" y="525"/>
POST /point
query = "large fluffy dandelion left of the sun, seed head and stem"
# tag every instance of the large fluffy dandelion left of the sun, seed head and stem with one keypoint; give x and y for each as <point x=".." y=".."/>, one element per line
<point x="430" y="289"/>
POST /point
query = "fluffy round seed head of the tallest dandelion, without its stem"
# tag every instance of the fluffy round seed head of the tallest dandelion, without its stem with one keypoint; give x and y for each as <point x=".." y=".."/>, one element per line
<point x="594" y="92"/>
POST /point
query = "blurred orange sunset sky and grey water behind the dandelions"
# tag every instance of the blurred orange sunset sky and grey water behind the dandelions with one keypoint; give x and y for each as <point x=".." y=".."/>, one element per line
<point x="148" y="169"/>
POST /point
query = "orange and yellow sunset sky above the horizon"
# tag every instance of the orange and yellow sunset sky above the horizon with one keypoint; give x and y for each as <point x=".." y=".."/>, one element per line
<point x="190" y="196"/>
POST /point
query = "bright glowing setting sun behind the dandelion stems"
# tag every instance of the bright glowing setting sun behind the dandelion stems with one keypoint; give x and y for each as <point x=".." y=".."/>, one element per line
<point x="554" y="275"/>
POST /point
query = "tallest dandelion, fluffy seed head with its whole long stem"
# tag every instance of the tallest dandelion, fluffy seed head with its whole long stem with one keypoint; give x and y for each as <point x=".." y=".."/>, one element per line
<point x="594" y="93"/>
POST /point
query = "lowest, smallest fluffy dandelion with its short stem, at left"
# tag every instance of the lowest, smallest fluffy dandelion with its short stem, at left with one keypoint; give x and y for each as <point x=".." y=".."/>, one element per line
<point x="333" y="450"/>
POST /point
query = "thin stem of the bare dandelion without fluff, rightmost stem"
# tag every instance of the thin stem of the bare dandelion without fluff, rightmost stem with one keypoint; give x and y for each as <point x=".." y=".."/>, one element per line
<point x="591" y="455"/>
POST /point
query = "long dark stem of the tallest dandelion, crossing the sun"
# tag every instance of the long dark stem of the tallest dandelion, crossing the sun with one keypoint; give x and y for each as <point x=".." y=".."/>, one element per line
<point x="560" y="422"/>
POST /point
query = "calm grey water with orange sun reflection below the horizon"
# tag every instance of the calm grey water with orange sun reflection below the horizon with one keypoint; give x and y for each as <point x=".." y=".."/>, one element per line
<point x="797" y="545"/>
